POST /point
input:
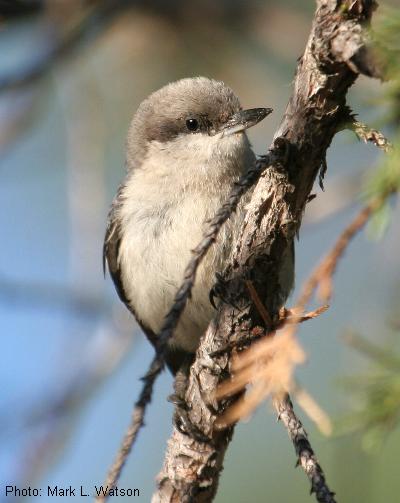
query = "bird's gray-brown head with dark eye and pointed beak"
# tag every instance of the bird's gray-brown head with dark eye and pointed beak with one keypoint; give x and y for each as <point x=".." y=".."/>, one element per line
<point x="188" y="116"/>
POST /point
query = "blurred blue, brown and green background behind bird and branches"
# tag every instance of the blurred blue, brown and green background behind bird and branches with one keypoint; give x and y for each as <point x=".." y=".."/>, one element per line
<point x="72" y="73"/>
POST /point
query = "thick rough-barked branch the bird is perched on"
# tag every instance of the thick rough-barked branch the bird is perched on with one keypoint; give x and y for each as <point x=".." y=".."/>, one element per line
<point x="315" y="112"/>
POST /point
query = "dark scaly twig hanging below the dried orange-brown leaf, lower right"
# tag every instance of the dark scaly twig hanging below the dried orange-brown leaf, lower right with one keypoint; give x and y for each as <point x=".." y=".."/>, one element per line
<point x="304" y="451"/>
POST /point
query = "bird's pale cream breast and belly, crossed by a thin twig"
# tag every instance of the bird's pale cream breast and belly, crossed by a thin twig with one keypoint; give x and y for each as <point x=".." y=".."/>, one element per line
<point x="165" y="204"/>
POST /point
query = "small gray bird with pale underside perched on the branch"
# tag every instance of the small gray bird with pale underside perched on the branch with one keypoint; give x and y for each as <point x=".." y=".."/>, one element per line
<point x="186" y="147"/>
